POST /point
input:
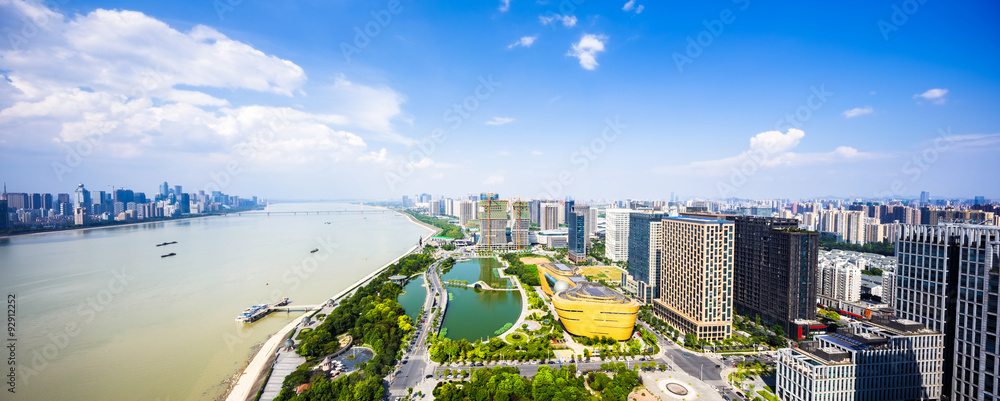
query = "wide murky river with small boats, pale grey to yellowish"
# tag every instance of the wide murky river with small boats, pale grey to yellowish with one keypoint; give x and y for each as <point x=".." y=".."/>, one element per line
<point x="101" y="316"/>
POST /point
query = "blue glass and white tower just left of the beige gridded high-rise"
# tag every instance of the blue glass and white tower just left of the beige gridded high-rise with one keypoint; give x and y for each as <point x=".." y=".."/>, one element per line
<point x="645" y="250"/>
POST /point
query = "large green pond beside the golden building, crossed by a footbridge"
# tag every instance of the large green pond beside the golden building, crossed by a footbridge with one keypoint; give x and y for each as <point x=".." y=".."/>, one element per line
<point x="475" y="314"/>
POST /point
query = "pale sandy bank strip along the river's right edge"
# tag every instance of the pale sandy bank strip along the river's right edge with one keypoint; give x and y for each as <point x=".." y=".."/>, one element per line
<point x="249" y="382"/>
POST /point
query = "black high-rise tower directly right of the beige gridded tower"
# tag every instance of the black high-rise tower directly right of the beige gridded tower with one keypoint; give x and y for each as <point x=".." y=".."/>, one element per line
<point x="774" y="273"/>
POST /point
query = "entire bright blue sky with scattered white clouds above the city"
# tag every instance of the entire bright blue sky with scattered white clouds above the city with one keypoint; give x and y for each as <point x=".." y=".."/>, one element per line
<point x="596" y="100"/>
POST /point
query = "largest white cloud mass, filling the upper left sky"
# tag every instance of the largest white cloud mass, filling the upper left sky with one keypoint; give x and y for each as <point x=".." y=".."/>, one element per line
<point x="145" y="87"/>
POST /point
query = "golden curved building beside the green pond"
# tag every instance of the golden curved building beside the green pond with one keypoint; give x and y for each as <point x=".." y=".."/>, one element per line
<point x="585" y="308"/>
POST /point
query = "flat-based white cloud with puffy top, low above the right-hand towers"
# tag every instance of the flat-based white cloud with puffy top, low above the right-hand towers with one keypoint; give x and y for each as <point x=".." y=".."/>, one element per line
<point x="768" y="150"/>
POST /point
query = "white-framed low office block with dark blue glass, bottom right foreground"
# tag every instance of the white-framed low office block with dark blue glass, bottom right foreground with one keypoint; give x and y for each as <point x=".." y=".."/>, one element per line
<point x="882" y="360"/>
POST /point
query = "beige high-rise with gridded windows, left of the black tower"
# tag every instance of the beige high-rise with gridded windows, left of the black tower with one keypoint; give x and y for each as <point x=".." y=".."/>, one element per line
<point x="696" y="276"/>
